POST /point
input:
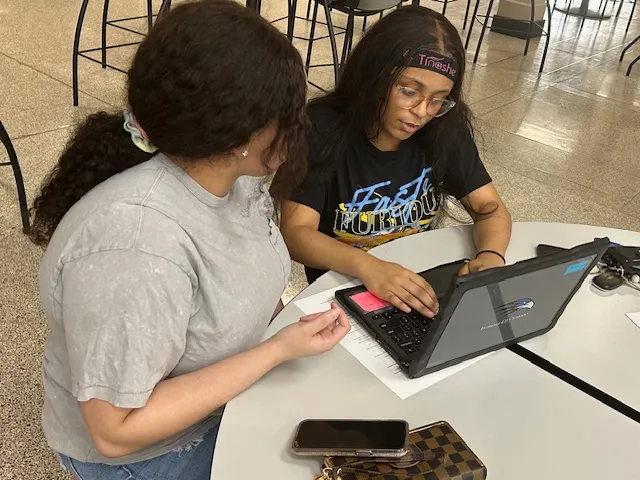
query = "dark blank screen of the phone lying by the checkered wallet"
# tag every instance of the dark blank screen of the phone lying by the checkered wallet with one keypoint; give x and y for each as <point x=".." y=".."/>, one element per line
<point x="352" y="434"/>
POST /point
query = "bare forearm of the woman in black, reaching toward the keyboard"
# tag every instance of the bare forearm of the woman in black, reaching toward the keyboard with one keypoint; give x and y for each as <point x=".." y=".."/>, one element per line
<point x="317" y="250"/>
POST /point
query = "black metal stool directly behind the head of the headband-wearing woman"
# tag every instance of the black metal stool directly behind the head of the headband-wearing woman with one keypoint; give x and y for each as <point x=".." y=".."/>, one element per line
<point x="351" y="8"/>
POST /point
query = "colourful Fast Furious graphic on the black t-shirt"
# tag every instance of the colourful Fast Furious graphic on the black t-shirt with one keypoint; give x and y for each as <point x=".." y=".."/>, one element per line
<point x="371" y="219"/>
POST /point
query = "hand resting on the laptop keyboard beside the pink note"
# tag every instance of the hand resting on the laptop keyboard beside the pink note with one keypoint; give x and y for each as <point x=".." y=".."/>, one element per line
<point x="400" y="287"/>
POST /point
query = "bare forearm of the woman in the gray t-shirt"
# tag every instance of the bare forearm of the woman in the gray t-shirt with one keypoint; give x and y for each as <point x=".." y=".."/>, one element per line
<point x="182" y="401"/>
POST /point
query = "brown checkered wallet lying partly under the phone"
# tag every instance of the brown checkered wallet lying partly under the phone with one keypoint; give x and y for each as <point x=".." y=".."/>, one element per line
<point x="435" y="452"/>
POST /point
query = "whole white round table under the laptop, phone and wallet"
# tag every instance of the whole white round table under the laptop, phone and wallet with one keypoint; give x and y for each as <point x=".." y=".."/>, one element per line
<point x="521" y="421"/>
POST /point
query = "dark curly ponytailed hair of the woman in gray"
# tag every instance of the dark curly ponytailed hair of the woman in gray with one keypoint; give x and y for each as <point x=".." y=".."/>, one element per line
<point x="208" y="76"/>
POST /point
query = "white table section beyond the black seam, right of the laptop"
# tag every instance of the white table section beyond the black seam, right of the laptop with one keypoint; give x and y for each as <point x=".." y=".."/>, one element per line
<point x="594" y="340"/>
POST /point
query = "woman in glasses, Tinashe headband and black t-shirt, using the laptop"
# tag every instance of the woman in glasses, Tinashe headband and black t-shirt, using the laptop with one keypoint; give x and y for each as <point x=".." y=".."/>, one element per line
<point x="386" y="147"/>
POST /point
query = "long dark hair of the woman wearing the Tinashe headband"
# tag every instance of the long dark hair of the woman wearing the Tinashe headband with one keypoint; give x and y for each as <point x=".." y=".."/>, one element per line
<point x="362" y="92"/>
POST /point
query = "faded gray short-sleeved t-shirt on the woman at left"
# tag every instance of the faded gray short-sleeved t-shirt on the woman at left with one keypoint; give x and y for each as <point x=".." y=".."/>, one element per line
<point x="147" y="277"/>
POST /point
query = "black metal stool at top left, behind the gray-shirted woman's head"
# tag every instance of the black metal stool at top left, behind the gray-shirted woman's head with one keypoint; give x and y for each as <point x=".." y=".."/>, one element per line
<point x="166" y="4"/>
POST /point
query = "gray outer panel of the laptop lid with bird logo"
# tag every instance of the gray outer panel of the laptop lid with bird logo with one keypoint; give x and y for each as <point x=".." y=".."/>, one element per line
<point x="515" y="307"/>
